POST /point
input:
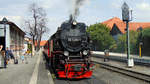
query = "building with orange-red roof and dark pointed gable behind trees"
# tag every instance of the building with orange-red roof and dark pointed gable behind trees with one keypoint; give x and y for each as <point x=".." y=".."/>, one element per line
<point x="117" y="26"/>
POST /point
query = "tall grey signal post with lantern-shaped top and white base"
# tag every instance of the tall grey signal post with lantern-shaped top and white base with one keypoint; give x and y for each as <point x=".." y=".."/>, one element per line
<point x="126" y="18"/>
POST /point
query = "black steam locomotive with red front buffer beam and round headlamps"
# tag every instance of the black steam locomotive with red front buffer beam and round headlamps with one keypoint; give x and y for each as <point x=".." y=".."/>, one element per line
<point x="68" y="51"/>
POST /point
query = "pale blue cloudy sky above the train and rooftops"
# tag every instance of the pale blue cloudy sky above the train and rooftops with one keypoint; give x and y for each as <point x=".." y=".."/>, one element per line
<point x="58" y="11"/>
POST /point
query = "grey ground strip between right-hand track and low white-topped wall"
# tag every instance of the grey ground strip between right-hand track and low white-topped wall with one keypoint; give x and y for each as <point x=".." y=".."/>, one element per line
<point x="135" y="68"/>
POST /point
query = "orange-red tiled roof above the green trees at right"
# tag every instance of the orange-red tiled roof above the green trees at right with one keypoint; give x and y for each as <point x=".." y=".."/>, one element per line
<point x="121" y="25"/>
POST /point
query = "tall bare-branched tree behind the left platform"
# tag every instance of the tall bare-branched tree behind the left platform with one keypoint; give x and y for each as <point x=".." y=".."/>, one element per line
<point x="36" y="24"/>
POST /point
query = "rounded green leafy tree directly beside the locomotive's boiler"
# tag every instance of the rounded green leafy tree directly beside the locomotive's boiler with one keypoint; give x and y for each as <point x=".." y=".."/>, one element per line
<point x="100" y="35"/>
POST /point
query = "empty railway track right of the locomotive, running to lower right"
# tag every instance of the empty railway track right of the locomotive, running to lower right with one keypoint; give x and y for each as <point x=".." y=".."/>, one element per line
<point x="137" y="75"/>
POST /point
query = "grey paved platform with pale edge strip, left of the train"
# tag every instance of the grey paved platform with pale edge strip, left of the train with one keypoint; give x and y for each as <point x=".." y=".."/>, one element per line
<point x="33" y="72"/>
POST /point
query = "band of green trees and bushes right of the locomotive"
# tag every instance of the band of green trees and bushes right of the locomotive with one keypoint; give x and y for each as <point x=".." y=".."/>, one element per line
<point x="100" y="34"/>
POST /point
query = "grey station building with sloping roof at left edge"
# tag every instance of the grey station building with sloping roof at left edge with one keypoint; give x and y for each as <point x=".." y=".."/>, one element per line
<point x="11" y="36"/>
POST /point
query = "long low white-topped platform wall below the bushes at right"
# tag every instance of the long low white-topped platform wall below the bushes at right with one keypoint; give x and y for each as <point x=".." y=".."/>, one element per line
<point x="144" y="60"/>
